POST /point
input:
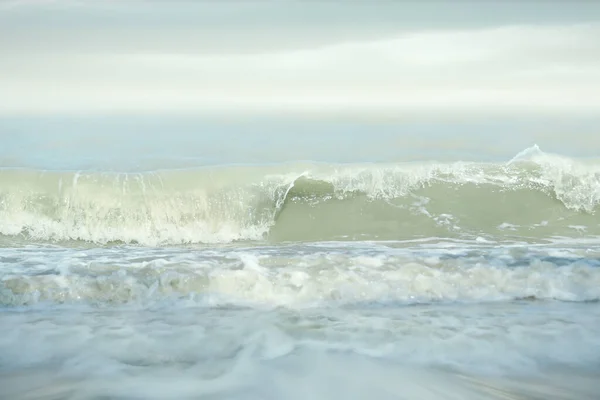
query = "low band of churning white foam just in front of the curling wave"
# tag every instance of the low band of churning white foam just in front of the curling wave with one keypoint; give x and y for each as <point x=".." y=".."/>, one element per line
<point x="311" y="277"/>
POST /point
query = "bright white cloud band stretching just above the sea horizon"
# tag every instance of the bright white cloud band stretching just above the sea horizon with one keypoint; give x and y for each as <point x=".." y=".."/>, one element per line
<point x="519" y="69"/>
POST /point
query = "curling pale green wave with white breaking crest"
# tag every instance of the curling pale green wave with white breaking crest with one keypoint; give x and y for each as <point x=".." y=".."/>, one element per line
<point x="535" y="194"/>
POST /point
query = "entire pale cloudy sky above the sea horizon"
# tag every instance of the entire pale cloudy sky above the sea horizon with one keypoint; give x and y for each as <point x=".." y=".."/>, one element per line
<point x="385" y="59"/>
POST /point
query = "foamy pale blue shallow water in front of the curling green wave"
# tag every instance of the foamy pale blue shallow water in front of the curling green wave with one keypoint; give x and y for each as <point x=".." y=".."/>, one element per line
<point x="432" y="319"/>
